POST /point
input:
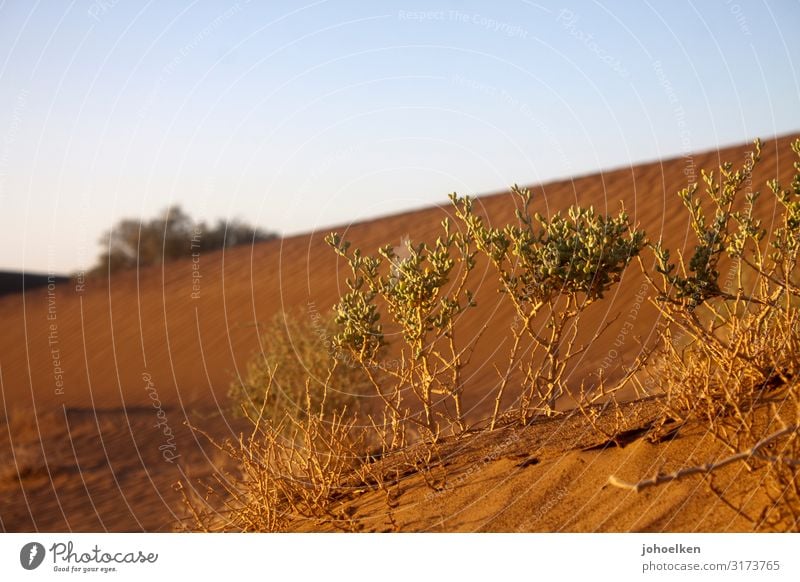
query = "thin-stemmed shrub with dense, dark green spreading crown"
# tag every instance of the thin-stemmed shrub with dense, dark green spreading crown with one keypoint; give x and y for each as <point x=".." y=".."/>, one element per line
<point x="550" y="270"/>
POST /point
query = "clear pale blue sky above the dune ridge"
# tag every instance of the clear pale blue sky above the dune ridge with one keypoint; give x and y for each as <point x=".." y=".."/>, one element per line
<point x="300" y="116"/>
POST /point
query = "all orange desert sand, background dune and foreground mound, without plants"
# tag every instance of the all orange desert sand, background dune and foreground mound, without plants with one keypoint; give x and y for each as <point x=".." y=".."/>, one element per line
<point x="84" y="447"/>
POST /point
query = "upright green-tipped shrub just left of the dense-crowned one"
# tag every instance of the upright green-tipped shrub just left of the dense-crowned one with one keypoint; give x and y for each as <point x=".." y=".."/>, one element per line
<point x="423" y="293"/>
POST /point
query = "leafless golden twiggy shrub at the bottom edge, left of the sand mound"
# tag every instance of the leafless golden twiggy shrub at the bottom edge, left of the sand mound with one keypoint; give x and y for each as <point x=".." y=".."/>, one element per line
<point x="299" y="468"/>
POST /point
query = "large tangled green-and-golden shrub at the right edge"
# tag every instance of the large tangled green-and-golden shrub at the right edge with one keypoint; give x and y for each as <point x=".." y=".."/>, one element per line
<point x="734" y="343"/>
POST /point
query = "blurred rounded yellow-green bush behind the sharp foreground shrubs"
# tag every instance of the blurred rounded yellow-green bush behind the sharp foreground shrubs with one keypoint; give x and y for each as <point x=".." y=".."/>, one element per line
<point x="297" y="361"/>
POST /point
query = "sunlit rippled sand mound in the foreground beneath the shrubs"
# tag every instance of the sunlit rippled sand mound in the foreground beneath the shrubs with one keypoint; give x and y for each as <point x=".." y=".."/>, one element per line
<point x="552" y="477"/>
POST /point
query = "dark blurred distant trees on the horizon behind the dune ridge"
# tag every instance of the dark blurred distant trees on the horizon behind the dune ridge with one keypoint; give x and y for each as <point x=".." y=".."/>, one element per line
<point x="171" y="235"/>
